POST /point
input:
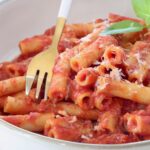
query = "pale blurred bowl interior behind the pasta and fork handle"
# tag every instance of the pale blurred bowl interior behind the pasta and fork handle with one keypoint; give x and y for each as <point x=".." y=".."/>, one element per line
<point x="24" y="18"/>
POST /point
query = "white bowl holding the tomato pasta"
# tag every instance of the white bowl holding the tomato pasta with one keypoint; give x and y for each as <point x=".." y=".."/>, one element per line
<point x="24" y="18"/>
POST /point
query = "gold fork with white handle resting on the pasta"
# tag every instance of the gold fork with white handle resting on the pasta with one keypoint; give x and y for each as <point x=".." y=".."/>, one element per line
<point x="40" y="67"/>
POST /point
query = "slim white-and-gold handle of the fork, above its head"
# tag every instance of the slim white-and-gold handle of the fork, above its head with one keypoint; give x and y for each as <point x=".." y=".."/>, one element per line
<point x="61" y="20"/>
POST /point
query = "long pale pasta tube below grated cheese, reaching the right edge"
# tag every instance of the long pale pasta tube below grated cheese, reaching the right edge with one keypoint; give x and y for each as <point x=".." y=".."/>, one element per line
<point x="124" y="89"/>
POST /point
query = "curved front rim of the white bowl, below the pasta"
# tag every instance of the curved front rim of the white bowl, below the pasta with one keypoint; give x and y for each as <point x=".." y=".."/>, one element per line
<point x="63" y="142"/>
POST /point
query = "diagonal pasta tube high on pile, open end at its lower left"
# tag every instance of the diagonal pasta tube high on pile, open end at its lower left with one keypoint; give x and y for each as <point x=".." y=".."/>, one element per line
<point x="92" y="53"/>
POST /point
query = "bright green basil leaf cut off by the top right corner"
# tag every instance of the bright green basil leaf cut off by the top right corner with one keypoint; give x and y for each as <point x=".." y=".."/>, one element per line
<point x="142" y="9"/>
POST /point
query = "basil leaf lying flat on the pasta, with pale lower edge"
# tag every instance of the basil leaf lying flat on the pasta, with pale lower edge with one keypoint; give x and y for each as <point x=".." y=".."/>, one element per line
<point x="122" y="27"/>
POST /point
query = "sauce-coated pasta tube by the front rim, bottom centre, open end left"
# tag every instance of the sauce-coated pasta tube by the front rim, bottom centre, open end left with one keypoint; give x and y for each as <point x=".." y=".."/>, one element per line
<point x="72" y="128"/>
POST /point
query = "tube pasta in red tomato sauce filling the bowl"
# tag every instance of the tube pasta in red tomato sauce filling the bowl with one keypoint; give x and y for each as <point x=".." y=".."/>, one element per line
<point x="100" y="88"/>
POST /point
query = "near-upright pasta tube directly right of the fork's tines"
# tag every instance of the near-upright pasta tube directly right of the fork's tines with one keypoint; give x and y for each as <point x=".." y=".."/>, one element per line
<point x="59" y="82"/>
